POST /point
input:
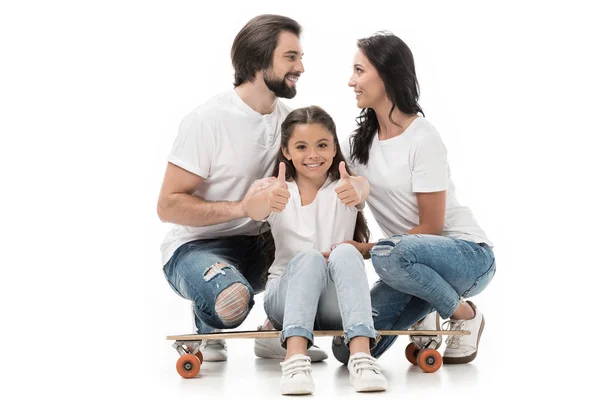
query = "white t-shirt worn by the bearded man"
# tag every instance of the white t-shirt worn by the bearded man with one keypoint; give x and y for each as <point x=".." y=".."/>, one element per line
<point x="230" y="145"/>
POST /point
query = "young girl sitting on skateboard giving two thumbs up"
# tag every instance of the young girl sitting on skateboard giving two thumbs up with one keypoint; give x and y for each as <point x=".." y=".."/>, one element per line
<point x="311" y="207"/>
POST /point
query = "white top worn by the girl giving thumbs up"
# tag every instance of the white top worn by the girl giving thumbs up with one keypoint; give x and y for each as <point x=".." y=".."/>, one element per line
<point x="318" y="225"/>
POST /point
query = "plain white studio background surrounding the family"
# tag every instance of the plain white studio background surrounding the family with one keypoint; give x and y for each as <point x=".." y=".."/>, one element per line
<point x="92" y="93"/>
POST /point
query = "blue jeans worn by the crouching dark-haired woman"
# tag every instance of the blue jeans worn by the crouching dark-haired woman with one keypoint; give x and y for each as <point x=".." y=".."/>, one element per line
<point x="422" y="273"/>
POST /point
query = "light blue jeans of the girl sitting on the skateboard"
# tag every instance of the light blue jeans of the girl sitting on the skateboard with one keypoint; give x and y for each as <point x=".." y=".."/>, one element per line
<point x="313" y="292"/>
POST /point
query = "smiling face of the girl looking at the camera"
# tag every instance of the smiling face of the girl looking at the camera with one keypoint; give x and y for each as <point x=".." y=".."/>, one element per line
<point x="311" y="150"/>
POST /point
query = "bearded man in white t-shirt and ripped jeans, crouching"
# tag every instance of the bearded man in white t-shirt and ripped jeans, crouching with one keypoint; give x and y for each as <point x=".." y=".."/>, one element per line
<point x="215" y="255"/>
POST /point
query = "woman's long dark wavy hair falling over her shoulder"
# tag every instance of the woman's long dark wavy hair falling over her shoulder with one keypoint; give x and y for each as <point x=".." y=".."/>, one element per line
<point x="394" y="63"/>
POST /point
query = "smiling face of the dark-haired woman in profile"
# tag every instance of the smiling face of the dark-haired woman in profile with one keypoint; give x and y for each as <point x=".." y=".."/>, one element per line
<point x="366" y="82"/>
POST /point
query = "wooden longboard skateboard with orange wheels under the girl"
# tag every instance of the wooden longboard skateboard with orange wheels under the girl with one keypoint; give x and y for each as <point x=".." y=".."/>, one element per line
<point x="188" y="346"/>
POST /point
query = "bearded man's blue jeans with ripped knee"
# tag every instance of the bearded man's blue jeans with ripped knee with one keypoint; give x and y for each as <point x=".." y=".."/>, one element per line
<point x="221" y="276"/>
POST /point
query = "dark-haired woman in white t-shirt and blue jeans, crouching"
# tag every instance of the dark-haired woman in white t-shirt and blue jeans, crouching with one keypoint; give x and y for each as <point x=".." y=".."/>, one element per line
<point x="436" y="255"/>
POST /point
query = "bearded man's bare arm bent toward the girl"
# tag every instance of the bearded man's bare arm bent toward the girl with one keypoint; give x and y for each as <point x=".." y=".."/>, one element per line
<point x="177" y="205"/>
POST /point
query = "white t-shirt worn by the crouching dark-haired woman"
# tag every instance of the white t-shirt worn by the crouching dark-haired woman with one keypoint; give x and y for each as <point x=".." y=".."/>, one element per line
<point x="399" y="168"/>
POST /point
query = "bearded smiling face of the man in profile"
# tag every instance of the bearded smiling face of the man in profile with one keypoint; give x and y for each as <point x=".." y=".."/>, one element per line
<point x="282" y="76"/>
